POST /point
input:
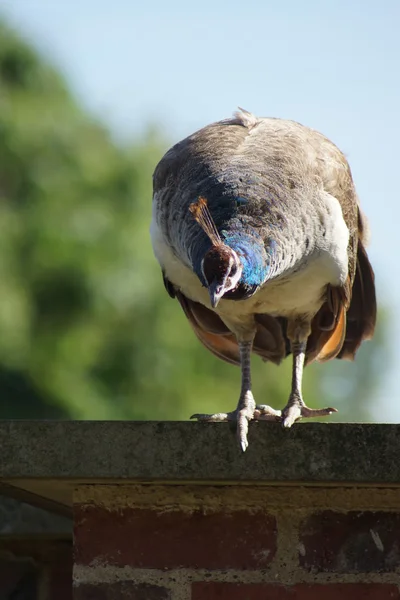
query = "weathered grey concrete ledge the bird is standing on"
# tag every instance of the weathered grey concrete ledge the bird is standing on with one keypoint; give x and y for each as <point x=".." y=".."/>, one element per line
<point x="312" y="453"/>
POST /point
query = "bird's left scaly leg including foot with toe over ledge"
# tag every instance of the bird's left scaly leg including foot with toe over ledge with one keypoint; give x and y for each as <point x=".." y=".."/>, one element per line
<point x="246" y="409"/>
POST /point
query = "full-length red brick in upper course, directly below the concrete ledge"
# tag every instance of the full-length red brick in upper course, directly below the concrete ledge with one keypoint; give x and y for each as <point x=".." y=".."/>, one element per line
<point x="171" y="539"/>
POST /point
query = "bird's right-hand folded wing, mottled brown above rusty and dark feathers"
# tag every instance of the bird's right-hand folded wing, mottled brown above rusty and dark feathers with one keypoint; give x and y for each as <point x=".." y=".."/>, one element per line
<point x="352" y="308"/>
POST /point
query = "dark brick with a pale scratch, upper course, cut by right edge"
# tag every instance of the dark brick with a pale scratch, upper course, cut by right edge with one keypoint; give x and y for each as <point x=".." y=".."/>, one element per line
<point x="353" y="542"/>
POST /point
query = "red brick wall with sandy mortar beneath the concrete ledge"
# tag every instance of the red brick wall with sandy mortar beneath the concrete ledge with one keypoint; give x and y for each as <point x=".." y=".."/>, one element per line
<point x="236" y="542"/>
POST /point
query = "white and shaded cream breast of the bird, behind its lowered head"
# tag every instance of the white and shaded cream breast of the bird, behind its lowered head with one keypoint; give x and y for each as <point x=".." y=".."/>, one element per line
<point x="296" y="287"/>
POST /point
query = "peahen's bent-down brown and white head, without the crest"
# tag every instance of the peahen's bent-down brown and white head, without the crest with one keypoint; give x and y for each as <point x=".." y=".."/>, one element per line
<point x="222" y="270"/>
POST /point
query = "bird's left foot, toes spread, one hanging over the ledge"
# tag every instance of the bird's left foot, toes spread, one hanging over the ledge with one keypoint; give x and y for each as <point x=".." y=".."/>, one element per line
<point x="246" y="411"/>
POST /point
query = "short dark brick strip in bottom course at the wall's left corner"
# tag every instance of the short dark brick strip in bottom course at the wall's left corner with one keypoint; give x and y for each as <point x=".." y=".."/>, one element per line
<point x="122" y="590"/>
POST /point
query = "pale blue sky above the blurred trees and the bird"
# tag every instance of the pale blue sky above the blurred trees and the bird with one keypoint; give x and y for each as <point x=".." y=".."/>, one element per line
<point x="333" y="65"/>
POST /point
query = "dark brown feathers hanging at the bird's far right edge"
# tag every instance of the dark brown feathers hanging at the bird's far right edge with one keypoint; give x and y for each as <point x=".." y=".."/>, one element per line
<point x="361" y="315"/>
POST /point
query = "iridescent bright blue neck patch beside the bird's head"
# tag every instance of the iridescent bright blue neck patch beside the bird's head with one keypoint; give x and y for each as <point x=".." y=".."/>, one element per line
<point x="252" y="254"/>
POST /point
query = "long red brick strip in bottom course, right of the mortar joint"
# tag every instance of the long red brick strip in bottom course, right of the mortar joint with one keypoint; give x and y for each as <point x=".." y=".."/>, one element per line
<point x="266" y="591"/>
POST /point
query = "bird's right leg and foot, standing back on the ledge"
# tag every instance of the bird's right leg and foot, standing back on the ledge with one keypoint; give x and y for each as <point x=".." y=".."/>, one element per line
<point x="296" y="407"/>
